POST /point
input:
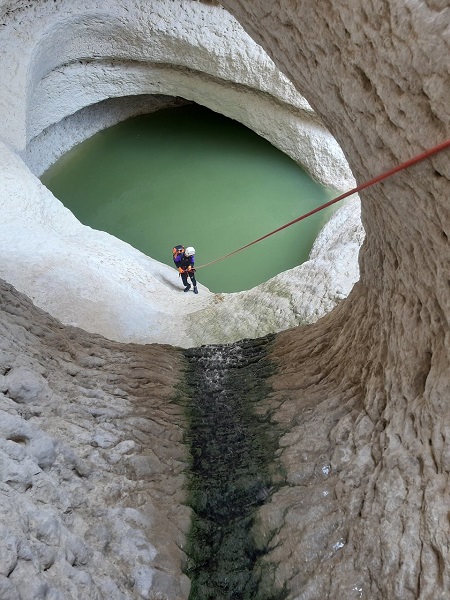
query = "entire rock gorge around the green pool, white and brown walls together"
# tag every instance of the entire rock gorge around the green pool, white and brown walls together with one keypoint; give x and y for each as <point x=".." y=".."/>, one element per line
<point x="287" y="442"/>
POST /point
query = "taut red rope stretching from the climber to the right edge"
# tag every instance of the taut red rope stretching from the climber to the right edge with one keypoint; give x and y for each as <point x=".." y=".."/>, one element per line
<point x="363" y="186"/>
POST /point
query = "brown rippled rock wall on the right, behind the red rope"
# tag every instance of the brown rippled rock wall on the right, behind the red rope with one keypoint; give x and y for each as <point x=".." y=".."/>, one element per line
<point x="366" y="390"/>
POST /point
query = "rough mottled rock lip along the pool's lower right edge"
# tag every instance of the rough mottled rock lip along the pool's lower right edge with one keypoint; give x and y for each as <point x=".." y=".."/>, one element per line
<point x="296" y="297"/>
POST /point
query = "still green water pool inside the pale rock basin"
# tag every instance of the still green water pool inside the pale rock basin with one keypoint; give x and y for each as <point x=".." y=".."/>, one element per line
<point x="190" y="176"/>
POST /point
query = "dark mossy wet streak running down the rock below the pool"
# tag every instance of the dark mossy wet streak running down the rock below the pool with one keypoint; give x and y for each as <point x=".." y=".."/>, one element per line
<point x="232" y="442"/>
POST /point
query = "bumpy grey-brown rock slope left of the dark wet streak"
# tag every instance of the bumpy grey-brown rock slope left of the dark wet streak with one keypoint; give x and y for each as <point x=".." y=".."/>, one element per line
<point x="92" y="463"/>
